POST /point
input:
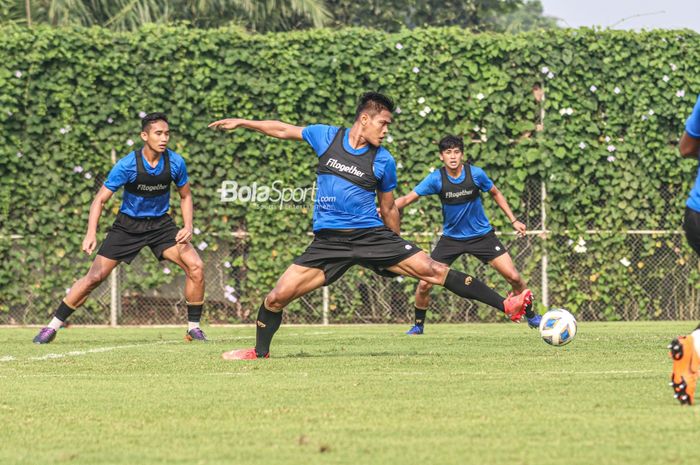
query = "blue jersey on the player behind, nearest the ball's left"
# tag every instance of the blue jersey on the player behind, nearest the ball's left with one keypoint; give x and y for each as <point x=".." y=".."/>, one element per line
<point x="465" y="221"/>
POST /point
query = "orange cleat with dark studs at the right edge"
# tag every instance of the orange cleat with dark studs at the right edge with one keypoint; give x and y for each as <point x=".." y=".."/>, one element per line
<point x="685" y="369"/>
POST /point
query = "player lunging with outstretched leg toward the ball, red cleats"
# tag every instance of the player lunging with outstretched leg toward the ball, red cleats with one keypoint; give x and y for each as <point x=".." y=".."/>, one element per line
<point x="353" y="173"/>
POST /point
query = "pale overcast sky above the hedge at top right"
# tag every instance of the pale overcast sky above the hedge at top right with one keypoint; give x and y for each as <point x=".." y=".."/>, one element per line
<point x="669" y="14"/>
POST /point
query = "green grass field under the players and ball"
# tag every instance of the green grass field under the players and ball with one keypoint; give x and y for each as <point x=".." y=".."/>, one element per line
<point x="460" y="394"/>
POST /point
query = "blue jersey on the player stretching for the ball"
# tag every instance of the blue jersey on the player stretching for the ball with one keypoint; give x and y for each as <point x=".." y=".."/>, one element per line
<point x="340" y="204"/>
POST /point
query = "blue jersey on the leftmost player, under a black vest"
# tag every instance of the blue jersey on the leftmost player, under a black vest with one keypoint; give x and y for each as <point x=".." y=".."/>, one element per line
<point x="124" y="172"/>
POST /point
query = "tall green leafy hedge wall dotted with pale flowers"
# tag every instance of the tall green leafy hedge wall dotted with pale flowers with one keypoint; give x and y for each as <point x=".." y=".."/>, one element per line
<point x="68" y="97"/>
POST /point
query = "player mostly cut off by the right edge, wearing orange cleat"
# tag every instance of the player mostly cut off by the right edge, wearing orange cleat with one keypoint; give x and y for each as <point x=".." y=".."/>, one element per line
<point x="685" y="350"/>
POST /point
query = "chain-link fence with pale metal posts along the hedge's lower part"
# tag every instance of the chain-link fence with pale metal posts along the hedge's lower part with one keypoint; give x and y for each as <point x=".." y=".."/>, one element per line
<point x="648" y="274"/>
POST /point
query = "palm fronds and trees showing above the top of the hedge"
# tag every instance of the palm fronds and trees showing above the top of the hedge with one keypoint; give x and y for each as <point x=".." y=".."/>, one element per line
<point x="284" y="15"/>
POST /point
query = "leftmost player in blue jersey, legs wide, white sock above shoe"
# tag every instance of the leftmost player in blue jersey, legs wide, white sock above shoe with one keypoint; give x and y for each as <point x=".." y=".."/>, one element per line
<point x="143" y="220"/>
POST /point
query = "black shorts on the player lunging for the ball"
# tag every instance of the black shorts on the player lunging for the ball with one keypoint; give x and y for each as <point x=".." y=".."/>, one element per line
<point x="335" y="251"/>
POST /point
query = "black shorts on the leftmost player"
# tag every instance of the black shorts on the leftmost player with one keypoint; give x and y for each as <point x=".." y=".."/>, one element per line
<point x="128" y="235"/>
